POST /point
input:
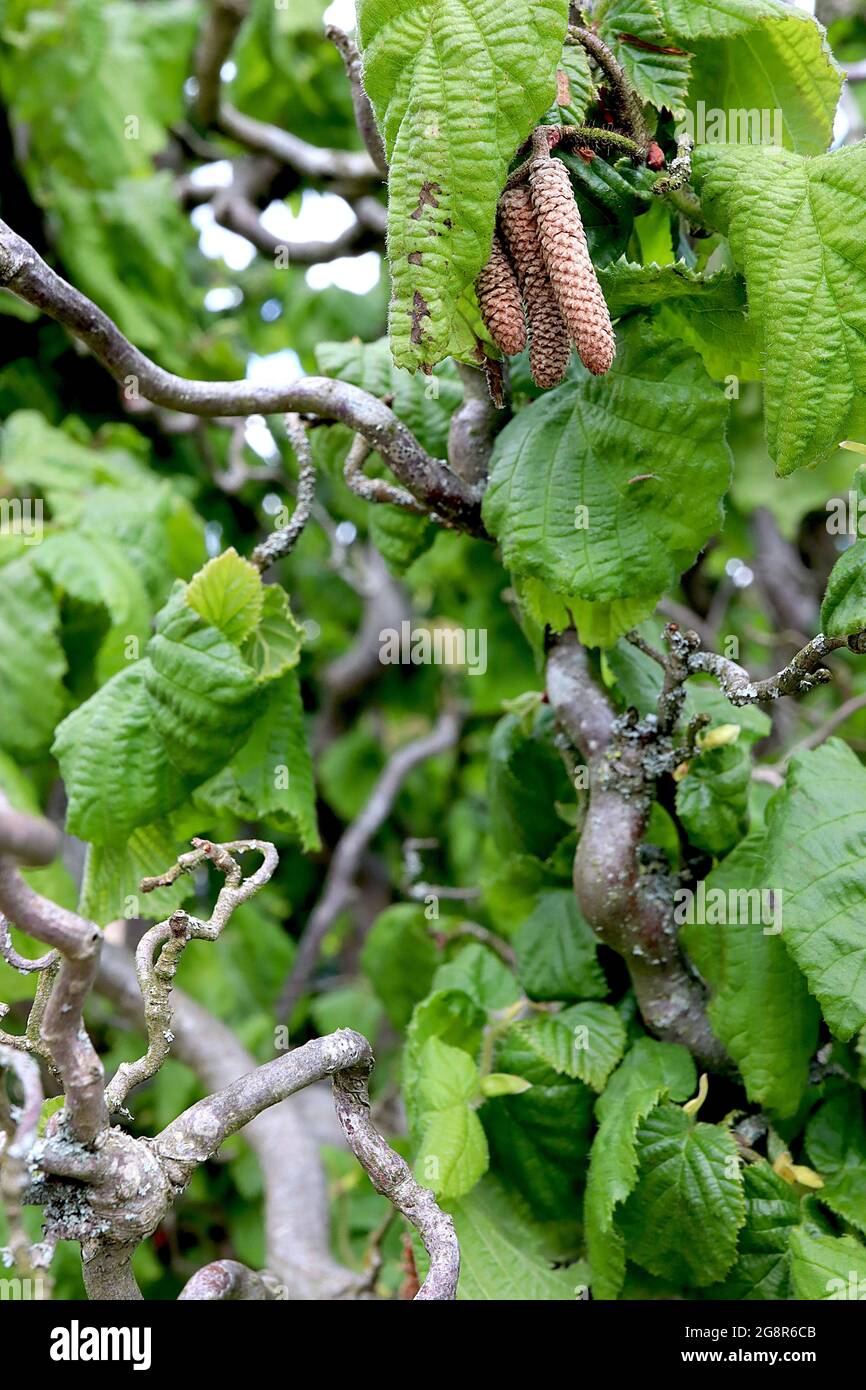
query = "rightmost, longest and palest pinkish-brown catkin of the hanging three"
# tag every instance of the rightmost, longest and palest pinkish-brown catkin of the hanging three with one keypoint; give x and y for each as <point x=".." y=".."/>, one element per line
<point x="564" y="245"/>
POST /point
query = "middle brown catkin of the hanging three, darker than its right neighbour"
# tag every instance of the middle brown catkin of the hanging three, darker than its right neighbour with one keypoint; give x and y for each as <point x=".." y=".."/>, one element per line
<point x="550" y="345"/>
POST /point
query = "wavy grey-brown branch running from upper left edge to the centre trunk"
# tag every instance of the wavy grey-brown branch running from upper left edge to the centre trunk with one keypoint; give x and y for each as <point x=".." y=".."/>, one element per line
<point x="430" y="480"/>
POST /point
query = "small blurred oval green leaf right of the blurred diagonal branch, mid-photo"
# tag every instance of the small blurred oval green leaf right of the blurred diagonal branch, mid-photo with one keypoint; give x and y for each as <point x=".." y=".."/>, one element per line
<point x="400" y="960"/>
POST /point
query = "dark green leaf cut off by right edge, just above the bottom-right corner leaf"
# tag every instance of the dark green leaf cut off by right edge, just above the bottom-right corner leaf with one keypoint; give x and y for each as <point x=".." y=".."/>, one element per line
<point x="836" y="1145"/>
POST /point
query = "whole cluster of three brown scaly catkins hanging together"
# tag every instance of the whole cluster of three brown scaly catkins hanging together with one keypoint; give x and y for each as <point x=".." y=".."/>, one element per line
<point x="540" y="262"/>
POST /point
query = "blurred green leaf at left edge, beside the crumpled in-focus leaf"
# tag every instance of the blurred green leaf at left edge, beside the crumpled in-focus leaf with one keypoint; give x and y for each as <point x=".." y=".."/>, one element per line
<point x="31" y="660"/>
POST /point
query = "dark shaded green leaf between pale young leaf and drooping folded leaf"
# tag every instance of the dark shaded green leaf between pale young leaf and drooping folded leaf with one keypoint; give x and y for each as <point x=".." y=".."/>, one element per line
<point x="540" y="1140"/>
